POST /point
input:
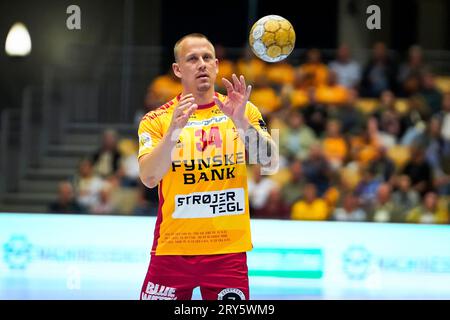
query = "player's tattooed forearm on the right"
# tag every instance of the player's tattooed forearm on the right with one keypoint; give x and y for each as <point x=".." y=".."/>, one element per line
<point x="261" y="149"/>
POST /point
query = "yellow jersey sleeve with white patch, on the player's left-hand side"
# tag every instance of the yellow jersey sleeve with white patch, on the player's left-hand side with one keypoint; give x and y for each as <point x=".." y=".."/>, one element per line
<point x="150" y="134"/>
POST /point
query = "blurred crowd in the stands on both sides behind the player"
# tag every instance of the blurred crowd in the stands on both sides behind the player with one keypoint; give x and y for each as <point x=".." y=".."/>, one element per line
<point x="357" y="143"/>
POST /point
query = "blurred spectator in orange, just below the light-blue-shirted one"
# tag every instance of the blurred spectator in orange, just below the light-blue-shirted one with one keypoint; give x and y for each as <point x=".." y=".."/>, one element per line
<point x="331" y="93"/>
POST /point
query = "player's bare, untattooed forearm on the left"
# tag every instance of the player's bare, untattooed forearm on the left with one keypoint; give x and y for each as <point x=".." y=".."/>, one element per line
<point x="153" y="167"/>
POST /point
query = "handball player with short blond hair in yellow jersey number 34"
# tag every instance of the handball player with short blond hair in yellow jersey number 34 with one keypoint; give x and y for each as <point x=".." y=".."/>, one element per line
<point x="194" y="148"/>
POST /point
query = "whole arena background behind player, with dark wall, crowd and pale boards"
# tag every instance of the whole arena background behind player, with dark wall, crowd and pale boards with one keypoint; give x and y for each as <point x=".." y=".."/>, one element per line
<point x="359" y="208"/>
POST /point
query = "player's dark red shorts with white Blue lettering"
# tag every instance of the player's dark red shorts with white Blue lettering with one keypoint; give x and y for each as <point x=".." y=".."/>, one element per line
<point x="220" y="277"/>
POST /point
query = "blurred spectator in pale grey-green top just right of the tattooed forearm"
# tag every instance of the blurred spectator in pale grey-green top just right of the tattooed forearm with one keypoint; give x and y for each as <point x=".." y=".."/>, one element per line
<point x="297" y="138"/>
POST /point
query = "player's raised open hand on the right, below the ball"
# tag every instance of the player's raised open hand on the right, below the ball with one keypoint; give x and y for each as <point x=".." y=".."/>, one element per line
<point x="236" y="100"/>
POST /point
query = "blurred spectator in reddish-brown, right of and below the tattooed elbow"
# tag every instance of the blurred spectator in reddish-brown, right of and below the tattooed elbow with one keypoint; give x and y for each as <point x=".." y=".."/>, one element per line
<point x="293" y="190"/>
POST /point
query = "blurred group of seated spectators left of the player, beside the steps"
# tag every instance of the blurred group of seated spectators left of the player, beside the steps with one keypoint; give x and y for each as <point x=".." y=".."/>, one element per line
<point x="107" y="182"/>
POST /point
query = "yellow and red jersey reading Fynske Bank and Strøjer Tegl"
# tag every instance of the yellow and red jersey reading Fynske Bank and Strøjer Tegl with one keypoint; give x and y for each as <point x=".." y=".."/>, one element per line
<point x="203" y="198"/>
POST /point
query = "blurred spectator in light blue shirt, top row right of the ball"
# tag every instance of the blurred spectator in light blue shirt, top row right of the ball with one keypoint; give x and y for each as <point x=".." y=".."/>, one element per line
<point x="348" y="71"/>
